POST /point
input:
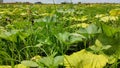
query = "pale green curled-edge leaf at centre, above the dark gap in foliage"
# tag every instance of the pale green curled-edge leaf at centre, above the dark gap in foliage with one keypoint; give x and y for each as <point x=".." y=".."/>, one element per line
<point x="69" y="38"/>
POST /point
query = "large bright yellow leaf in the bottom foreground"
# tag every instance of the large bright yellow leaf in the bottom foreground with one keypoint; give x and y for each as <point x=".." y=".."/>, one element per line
<point x="85" y="59"/>
